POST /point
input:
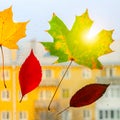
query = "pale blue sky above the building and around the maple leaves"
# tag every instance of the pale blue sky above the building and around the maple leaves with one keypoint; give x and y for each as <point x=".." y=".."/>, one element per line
<point x="104" y="13"/>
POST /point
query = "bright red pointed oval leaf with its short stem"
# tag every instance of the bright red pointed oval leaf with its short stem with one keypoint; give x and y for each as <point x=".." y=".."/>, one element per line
<point x="30" y="74"/>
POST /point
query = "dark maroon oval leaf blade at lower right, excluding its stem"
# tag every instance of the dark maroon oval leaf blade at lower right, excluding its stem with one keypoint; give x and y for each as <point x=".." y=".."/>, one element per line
<point x="88" y="94"/>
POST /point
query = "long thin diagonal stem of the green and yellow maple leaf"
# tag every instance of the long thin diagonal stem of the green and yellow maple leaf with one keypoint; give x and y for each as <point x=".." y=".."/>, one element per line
<point x="59" y="84"/>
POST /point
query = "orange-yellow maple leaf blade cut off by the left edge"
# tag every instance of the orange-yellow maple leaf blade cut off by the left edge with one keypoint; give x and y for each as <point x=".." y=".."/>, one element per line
<point x="10" y="31"/>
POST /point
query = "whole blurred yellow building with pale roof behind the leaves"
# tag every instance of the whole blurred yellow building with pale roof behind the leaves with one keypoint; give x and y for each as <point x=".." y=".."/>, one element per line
<point x="35" y="104"/>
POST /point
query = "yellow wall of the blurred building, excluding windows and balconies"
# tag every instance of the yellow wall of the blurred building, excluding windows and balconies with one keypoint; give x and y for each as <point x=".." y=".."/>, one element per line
<point x="74" y="82"/>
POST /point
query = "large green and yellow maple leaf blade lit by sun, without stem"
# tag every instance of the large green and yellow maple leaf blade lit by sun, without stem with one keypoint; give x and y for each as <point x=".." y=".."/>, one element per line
<point x="74" y="45"/>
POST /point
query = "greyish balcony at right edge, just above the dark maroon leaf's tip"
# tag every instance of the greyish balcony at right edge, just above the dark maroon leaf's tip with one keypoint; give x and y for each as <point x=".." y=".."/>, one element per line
<point x="115" y="80"/>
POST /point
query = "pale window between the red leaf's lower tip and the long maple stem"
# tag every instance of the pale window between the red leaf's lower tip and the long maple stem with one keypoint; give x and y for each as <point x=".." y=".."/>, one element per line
<point x="45" y="94"/>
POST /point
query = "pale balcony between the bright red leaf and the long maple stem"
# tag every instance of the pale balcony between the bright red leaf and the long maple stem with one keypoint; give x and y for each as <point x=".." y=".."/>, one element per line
<point x="49" y="82"/>
